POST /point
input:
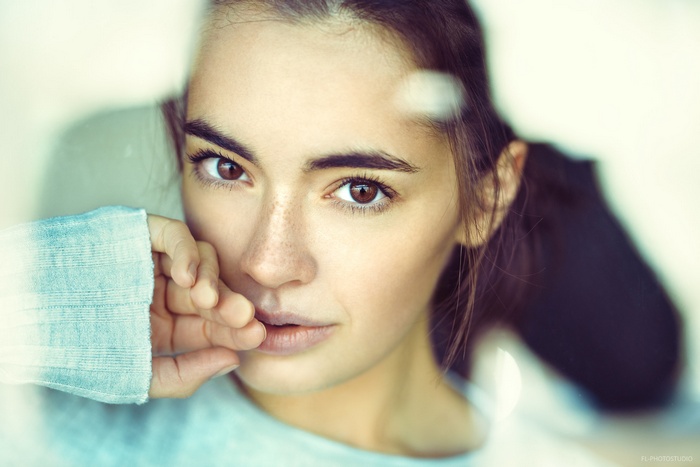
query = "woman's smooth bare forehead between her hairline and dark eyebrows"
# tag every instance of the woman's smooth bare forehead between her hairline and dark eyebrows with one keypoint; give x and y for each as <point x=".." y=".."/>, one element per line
<point x="321" y="84"/>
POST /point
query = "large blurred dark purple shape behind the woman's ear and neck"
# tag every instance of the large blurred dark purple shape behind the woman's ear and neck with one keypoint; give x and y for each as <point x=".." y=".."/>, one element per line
<point x="590" y="306"/>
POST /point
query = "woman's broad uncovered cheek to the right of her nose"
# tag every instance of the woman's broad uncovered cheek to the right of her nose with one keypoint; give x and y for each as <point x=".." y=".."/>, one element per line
<point x="386" y="279"/>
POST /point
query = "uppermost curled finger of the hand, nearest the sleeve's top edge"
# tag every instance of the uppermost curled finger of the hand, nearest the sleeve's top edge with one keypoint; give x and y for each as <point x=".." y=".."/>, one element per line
<point x="173" y="238"/>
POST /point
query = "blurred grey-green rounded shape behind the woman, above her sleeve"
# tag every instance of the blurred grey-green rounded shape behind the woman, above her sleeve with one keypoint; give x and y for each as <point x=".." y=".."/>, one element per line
<point x="115" y="157"/>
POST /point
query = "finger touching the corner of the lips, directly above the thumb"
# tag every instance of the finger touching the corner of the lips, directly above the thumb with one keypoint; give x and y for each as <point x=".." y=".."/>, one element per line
<point x="194" y="333"/>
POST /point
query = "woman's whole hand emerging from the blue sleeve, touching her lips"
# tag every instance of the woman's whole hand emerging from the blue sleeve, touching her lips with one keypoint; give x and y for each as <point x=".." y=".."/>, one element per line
<point x="197" y="322"/>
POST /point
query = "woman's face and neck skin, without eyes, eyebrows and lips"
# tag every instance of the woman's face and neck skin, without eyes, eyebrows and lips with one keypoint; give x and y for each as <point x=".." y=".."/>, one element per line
<point x="290" y="238"/>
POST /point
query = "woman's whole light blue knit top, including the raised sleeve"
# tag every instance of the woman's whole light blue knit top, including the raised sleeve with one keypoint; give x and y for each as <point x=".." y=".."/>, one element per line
<point x="75" y="295"/>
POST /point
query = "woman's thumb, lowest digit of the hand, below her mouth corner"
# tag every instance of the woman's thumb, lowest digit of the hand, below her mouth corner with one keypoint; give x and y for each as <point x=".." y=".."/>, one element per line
<point x="181" y="376"/>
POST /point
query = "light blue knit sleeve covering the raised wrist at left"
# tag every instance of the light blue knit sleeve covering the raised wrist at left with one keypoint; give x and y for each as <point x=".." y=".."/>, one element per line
<point x="75" y="294"/>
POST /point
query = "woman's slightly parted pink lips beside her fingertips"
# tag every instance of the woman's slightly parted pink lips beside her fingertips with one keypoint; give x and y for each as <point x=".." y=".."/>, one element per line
<point x="289" y="333"/>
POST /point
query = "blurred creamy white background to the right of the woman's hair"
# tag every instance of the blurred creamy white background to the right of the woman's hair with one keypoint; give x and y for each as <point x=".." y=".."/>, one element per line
<point x="619" y="82"/>
